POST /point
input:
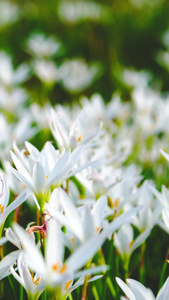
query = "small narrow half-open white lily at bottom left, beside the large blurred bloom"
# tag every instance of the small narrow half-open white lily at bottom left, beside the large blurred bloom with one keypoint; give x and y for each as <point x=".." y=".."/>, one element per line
<point x="32" y="284"/>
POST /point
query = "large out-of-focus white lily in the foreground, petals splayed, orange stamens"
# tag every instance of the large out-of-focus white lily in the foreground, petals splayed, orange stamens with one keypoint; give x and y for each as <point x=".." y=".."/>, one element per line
<point x="52" y="269"/>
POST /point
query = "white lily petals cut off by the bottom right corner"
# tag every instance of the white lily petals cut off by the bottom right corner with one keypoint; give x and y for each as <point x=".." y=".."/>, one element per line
<point x="134" y="290"/>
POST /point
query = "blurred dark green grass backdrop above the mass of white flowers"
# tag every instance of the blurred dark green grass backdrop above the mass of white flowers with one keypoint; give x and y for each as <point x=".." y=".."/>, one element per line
<point x="114" y="34"/>
